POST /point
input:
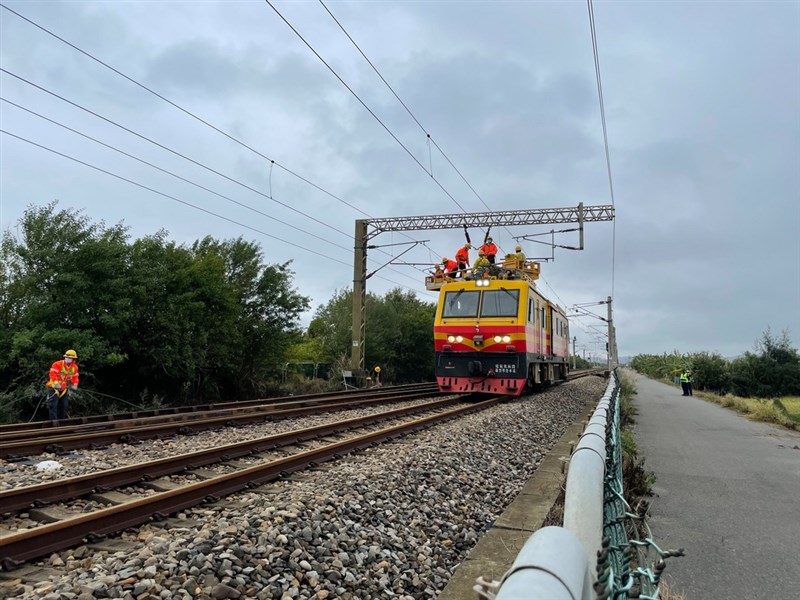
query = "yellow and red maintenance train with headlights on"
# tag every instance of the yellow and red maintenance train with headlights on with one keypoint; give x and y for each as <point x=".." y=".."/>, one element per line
<point x="498" y="334"/>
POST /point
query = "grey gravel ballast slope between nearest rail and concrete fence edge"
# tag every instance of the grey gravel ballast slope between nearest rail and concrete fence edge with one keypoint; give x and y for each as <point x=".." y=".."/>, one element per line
<point x="390" y="522"/>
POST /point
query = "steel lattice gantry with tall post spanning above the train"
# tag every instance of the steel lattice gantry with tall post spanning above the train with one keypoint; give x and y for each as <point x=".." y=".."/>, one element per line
<point x="366" y="229"/>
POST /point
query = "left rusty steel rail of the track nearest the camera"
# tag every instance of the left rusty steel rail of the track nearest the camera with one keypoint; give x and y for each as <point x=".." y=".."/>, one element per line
<point x="63" y="489"/>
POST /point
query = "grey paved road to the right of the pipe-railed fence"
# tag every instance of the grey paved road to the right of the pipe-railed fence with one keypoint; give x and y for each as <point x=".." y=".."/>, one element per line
<point x="728" y="491"/>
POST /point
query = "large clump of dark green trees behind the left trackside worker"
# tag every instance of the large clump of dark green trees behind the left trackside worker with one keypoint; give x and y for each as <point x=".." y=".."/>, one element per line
<point x="149" y="319"/>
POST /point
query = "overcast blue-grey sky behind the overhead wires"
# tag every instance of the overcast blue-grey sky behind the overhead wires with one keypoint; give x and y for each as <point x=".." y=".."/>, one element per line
<point x="702" y="103"/>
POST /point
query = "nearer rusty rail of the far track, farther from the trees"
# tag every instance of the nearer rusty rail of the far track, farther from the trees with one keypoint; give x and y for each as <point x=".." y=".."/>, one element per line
<point x="88" y="435"/>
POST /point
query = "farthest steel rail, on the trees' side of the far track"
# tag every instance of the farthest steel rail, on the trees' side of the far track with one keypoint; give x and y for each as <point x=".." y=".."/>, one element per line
<point x="197" y="408"/>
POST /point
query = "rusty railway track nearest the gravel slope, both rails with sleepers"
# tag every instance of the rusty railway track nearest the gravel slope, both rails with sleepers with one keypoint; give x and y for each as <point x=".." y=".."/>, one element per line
<point x="268" y="459"/>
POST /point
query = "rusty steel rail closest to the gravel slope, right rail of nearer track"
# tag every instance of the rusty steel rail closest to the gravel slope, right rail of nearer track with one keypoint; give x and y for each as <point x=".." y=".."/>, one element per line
<point x="25" y="545"/>
